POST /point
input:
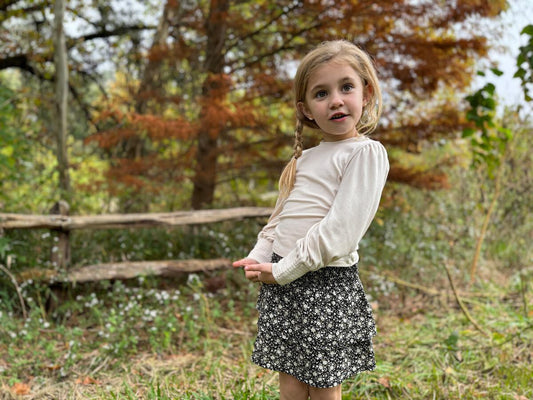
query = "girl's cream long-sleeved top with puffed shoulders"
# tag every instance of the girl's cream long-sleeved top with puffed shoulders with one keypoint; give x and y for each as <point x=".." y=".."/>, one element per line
<point x="335" y="197"/>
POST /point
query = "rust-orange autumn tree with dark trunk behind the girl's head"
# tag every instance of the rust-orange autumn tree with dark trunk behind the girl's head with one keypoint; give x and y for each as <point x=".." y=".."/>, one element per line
<point x="239" y="79"/>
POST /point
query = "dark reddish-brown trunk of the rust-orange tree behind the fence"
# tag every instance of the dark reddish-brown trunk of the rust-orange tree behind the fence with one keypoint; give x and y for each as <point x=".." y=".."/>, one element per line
<point x="205" y="175"/>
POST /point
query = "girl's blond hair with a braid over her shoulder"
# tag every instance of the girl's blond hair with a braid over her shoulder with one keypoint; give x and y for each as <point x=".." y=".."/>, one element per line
<point x="360" y="61"/>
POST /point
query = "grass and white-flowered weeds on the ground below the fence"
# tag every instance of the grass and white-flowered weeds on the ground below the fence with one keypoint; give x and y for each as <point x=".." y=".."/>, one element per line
<point x="149" y="339"/>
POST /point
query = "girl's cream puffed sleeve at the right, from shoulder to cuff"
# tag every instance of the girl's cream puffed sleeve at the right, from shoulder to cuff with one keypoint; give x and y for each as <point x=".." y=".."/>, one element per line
<point x="339" y="232"/>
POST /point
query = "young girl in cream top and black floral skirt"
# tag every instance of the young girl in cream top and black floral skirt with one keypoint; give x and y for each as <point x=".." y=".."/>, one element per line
<point x="315" y="325"/>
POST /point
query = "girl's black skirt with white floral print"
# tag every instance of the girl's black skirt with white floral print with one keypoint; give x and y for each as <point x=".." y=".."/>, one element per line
<point x="318" y="328"/>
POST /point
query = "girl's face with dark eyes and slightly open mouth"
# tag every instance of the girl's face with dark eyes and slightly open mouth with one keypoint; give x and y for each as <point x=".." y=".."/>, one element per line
<point x="334" y="100"/>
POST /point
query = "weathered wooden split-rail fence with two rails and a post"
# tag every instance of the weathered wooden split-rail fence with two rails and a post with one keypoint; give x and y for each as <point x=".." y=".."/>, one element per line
<point x="61" y="224"/>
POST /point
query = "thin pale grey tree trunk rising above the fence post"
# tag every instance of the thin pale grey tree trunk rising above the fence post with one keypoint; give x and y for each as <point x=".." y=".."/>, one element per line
<point x="61" y="92"/>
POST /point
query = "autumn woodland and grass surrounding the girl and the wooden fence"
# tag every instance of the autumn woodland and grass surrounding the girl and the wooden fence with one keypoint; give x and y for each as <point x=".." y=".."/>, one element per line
<point x="172" y="106"/>
